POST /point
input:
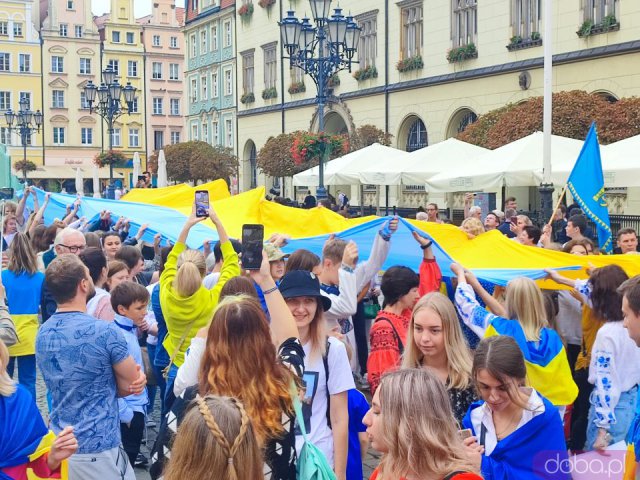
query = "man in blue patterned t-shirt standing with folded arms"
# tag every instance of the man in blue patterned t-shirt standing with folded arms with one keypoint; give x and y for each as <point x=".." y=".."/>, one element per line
<point x="86" y="365"/>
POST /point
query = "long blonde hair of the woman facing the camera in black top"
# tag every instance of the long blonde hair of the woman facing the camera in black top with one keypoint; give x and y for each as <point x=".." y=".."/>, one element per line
<point x="459" y="360"/>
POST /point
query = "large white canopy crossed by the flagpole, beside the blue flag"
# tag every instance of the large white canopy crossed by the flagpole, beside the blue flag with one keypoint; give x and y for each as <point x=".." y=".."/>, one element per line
<point x="517" y="164"/>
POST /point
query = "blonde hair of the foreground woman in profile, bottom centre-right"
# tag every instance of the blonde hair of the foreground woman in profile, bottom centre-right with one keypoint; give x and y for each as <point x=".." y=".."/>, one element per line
<point x="418" y="427"/>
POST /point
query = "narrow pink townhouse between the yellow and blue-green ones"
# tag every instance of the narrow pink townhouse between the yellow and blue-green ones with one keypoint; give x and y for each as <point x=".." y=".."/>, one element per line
<point x="164" y="71"/>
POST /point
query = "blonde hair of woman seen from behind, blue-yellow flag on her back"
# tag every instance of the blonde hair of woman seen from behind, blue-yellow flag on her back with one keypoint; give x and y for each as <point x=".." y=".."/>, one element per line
<point x="524" y="303"/>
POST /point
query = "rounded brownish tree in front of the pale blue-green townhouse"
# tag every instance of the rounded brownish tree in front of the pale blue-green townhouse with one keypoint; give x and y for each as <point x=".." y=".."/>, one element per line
<point x="199" y="161"/>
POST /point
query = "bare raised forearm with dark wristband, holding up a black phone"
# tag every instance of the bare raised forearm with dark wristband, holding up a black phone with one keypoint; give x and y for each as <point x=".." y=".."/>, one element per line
<point x="283" y="326"/>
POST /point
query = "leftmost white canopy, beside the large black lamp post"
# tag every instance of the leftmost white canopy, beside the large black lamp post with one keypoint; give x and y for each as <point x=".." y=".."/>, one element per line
<point x="346" y="170"/>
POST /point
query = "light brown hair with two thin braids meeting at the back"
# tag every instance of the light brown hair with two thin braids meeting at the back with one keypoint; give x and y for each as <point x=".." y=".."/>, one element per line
<point x="215" y="440"/>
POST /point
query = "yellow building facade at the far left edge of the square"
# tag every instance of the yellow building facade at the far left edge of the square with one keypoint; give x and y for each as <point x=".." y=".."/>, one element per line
<point x="20" y="73"/>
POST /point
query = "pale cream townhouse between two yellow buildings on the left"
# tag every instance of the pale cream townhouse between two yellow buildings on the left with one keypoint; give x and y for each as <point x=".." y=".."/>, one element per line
<point x="71" y="58"/>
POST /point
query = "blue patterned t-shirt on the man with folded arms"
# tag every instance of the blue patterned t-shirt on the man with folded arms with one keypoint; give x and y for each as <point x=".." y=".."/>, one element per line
<point x="76" y="354"/>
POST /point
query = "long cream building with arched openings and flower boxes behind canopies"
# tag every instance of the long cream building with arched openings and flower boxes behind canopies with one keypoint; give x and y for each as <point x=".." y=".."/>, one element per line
<point x="427" y="69"/>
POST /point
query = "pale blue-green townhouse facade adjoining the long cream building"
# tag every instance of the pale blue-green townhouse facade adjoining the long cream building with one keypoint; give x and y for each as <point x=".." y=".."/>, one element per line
<point x="210" y="76"/>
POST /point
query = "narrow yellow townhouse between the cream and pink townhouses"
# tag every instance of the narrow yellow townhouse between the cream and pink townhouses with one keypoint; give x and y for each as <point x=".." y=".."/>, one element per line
<point x="123" y="51"/>
